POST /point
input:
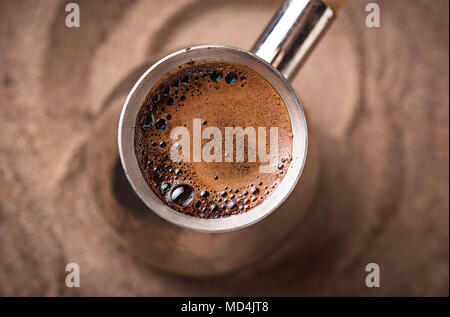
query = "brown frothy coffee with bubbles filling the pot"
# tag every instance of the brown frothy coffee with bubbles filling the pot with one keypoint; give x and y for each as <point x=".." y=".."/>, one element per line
<point x="221" y="95"/>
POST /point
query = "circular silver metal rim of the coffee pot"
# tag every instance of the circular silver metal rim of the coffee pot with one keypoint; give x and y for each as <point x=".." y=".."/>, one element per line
<point x="201" y="224"/>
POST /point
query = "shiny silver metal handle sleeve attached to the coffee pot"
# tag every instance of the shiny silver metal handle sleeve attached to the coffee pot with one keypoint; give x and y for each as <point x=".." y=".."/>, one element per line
<point x="292" y="34"/>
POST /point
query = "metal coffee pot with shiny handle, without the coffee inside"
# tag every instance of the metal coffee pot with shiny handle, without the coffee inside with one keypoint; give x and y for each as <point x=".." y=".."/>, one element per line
<point x="188" y="245"/>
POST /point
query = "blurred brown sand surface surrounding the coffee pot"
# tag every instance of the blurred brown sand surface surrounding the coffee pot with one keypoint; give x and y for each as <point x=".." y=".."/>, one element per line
<point x="377" y="99"/>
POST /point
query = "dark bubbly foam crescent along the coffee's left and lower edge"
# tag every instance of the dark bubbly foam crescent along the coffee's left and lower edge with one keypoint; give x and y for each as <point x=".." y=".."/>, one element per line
<point x="176" y="183"/>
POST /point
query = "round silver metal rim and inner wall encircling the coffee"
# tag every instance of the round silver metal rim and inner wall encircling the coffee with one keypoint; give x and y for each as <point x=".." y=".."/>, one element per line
<point x="212" y="52"/>
